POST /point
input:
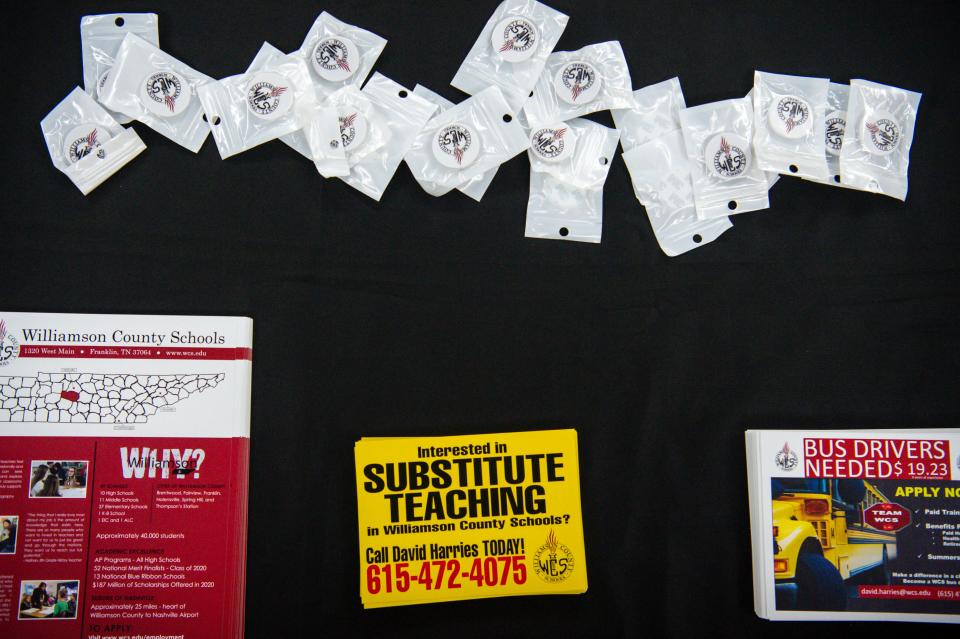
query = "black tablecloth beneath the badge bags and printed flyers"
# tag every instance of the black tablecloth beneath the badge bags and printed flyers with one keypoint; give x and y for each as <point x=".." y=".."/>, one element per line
<point x="436" y="316"/>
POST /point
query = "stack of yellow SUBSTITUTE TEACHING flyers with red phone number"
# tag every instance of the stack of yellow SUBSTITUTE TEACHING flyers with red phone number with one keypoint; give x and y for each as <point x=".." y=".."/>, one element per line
<point x="471" y="516"/>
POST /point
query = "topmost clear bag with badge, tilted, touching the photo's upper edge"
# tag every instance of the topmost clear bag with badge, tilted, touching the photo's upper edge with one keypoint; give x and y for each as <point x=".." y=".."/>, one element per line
<point x="511" y="51"/>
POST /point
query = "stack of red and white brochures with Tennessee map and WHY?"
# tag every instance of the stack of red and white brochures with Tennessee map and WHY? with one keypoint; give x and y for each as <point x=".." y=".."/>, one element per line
<point x="123" y="475"/>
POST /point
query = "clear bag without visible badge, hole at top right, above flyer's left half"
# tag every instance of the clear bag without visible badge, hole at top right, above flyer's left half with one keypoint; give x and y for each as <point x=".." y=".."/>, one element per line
<point x="398" y="117"/>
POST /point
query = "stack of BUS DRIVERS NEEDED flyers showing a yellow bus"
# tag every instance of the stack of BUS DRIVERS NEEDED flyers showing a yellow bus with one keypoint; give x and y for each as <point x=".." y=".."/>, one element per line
<point x="855" y="525"/>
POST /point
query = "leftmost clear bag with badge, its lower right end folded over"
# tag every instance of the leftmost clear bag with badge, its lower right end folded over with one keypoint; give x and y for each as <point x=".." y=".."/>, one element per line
<point x="85" y="142"/>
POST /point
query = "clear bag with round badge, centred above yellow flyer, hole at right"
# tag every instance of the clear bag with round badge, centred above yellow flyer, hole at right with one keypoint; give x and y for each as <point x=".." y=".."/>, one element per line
<point x="464" y="142"/>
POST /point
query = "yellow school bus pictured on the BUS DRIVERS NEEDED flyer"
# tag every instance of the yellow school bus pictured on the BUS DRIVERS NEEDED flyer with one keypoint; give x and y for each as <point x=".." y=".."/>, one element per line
<point x="820" y="541"/>
